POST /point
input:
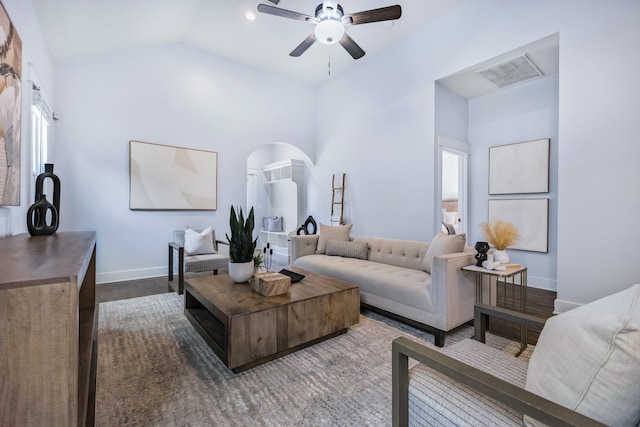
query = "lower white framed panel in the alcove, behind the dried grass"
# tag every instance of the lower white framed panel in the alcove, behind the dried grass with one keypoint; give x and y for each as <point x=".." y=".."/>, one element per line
<point x="529" y="216"/>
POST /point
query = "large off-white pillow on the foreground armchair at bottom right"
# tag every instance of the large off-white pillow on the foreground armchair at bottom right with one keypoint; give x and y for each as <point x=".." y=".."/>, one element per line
<point x="587" y="359"/>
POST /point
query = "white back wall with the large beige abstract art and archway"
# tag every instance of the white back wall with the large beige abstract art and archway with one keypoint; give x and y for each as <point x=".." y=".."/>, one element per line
<point x="174" y="95"/>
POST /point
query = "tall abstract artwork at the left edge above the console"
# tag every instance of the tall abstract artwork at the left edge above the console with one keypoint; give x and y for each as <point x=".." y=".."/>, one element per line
<point x="10" y="110"/>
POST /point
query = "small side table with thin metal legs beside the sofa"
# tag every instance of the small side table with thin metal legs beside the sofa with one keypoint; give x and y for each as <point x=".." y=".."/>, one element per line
<point x="513" y="276"/>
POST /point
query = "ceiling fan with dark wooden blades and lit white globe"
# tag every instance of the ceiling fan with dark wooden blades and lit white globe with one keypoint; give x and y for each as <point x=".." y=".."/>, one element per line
<point x="330" y="20"/>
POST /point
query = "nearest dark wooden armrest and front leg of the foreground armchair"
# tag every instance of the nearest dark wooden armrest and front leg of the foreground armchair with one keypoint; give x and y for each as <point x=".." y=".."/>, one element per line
<point x="506" y="393"/>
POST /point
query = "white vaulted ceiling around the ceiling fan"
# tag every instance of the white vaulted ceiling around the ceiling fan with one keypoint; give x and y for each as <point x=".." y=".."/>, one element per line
<point x="76" y="29"/>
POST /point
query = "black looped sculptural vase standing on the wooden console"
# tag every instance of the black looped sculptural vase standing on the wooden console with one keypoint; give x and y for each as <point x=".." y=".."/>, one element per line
<point x="37" y="213"/>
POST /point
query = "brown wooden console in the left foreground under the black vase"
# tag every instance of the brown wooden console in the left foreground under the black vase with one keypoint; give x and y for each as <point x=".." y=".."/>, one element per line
<point x="48" y="325"/>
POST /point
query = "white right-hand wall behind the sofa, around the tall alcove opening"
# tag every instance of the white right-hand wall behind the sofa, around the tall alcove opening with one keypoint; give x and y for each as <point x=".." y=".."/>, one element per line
<point x="388" y="119"/>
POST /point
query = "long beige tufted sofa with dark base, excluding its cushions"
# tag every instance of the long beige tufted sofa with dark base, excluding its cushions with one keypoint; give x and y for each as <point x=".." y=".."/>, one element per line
<point x="393" y="280"/>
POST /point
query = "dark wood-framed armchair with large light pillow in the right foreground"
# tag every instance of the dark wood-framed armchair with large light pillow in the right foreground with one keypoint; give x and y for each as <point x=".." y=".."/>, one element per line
<point x="584" y="371"/>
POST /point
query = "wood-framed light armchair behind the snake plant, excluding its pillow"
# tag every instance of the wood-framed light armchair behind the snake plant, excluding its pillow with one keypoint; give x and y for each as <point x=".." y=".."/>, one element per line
<point x="194" y="263"/>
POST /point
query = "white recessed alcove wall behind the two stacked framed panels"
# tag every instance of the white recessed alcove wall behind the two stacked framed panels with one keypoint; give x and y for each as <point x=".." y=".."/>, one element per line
<point x="521" y="113"/>
